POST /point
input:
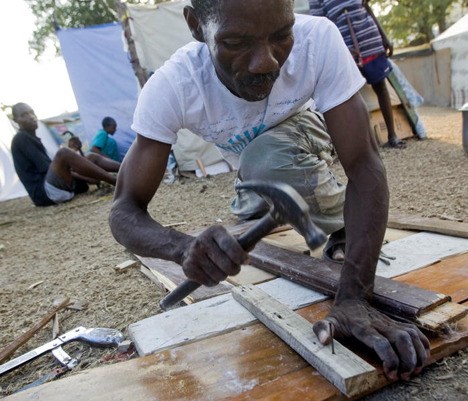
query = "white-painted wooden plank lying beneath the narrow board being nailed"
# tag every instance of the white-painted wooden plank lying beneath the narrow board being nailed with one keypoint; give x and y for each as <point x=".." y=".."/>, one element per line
<point x="210" y="317"/>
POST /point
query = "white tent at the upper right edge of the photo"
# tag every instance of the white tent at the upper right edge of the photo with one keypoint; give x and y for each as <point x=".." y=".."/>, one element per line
<point x="456" y="39"/>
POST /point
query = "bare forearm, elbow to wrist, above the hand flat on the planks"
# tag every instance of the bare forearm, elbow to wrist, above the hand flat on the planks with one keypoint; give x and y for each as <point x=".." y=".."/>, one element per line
<point x="366" y="213"/>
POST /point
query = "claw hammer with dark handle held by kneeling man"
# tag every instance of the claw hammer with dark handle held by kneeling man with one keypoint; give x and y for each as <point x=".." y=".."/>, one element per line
<point x="286" y="207"/>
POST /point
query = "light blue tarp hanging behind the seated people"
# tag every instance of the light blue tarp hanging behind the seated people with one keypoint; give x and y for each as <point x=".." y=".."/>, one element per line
<point x="102" y="79"/>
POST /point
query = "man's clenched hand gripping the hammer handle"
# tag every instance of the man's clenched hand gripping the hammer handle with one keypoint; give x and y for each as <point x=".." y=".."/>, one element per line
<point x="212" y="256"/>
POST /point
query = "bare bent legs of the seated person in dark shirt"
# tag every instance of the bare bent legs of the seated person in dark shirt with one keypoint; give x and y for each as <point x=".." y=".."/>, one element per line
<point x="66" y="161"/>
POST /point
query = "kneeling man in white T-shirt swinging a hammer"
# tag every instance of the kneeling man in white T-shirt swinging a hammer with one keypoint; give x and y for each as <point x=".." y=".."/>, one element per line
<point x="248" y="85"/>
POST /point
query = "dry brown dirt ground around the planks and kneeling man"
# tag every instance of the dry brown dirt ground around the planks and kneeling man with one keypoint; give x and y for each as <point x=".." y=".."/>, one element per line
<point x="68" y="251"/>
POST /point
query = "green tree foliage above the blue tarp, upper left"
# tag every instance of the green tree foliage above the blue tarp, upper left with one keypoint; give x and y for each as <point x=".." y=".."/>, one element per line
<point x="55" y="14"/>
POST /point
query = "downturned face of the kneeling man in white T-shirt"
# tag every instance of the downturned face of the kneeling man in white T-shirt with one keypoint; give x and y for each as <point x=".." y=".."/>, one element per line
<point x="250" y="43"/>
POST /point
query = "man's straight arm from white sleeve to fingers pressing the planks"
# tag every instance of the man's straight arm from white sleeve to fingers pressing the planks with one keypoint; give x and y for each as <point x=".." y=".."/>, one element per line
<point x="402" y="347"/>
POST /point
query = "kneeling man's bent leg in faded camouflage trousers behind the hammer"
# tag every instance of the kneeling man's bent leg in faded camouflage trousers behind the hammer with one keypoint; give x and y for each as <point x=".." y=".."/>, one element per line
<point x="297" y="152"/>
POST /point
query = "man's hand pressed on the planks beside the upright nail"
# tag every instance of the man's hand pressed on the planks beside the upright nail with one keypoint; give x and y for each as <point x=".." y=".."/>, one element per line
<point x="402" y="348"/>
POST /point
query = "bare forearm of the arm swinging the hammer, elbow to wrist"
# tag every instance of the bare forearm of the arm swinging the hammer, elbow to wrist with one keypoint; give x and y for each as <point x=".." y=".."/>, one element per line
<point x="139" y="233"/>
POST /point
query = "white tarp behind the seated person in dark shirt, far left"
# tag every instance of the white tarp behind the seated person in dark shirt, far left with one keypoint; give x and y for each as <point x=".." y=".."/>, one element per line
<point x="10" y="185"/>
